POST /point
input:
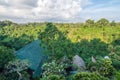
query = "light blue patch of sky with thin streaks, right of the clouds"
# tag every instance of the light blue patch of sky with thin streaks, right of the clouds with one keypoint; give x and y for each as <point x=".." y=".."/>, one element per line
<point x="109" y="9"/>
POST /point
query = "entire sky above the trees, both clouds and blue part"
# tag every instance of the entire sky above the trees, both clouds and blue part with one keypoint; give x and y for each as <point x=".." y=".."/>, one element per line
<point x="23" y="11"/>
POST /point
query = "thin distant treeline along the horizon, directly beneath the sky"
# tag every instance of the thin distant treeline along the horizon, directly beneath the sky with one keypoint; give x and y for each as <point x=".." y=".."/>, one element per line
<point x="88" y="23"/>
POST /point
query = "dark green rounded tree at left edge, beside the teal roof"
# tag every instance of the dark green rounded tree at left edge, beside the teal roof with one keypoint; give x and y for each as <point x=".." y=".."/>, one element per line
<point x="6" y="55"/>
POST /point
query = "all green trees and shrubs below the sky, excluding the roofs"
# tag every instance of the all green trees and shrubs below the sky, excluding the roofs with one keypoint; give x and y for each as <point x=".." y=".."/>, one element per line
<point x="61" y="42"/>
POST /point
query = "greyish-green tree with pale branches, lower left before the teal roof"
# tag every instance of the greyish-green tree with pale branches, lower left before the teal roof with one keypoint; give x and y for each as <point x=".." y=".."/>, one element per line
<point x="16" y="70"/>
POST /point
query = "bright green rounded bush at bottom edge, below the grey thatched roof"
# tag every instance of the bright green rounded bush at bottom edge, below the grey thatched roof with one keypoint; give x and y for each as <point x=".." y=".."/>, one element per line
<point x="88" y="76"/>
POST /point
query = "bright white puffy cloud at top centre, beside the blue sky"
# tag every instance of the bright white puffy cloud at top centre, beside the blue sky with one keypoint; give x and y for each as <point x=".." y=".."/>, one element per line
<point x="57" y="8"/>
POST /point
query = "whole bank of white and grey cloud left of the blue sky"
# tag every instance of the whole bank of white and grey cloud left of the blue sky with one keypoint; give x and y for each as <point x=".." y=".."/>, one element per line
<point x="43" y="10"/>
